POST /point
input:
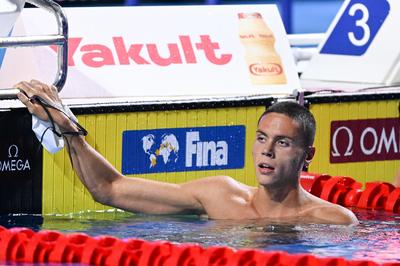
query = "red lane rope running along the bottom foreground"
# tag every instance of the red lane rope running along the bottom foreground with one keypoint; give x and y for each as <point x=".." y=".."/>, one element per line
<point x="22" y="245"/>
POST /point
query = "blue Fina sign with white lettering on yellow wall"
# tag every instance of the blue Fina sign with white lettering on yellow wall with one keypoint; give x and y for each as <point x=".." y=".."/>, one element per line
<point x="183" y="149"/>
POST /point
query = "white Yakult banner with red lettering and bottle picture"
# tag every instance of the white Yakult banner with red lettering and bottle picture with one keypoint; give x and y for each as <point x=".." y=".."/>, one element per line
<point x="160" y="51"/>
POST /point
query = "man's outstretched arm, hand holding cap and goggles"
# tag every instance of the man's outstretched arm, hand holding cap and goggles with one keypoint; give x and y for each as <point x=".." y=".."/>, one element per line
<point x="103" y="181"/>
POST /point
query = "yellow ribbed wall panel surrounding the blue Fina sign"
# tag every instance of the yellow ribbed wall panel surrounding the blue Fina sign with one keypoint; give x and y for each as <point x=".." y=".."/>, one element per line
<point x="64" y="193"/>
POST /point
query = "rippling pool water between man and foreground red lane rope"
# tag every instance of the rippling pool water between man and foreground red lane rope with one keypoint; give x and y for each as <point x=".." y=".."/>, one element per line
<point x="376" y="238"/>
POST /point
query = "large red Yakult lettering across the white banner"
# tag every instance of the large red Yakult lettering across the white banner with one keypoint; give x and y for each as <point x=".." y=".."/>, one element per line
<point x="184" y="51"/>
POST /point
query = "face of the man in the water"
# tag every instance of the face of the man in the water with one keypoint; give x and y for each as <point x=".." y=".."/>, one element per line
<point x="278" y="152"/>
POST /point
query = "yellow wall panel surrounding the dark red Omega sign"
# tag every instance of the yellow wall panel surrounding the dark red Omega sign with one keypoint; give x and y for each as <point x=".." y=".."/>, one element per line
<point x="361" y="171"/>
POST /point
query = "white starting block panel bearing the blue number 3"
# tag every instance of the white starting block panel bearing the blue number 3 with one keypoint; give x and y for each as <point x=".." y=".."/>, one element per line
<point x="360" y="45"/>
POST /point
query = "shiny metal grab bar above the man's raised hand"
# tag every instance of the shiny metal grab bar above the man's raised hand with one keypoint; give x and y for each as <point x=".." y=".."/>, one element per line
<point x="61" y="40"/>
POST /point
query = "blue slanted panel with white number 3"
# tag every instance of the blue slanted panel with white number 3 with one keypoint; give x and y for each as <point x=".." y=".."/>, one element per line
<point x="357" y="27"/>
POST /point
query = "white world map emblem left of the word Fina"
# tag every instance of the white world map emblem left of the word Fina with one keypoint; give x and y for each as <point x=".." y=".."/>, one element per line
<point x="165" y="151"/>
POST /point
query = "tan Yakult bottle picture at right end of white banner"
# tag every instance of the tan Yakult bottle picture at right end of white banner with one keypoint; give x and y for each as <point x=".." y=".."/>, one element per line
<point x="264" y="63"/>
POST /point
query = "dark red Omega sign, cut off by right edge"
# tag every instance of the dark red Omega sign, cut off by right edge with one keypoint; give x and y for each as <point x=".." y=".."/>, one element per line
<point x="365" y="140"/>
